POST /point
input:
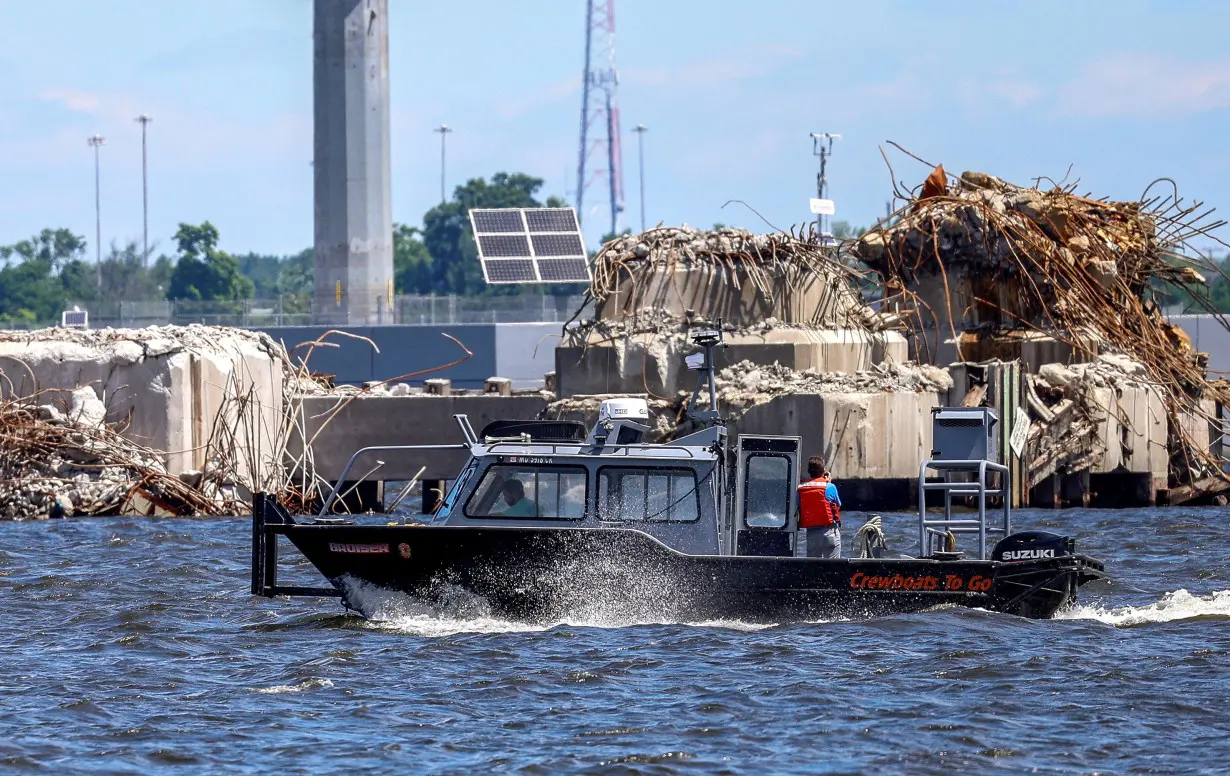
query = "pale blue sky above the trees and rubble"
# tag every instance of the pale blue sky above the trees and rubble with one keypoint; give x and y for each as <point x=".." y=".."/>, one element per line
<point x="1124" y="92"/>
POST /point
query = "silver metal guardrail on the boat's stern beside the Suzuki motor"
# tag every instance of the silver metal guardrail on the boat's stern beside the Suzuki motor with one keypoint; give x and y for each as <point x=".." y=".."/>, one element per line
<point x="933" y="528"/>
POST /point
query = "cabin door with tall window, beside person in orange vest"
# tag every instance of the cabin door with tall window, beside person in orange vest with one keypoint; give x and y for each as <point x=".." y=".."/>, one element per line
<point x="766" y="516"/>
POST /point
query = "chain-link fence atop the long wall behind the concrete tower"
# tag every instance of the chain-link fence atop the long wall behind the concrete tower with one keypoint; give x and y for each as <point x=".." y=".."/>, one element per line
<point x="298" y="312"/>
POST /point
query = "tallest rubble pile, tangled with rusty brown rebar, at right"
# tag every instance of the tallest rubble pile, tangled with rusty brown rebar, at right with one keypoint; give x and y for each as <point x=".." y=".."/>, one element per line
<point x="999" y="265"/>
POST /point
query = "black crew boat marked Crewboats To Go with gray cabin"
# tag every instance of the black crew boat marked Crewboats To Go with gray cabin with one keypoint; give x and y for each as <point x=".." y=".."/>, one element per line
<point x="550" y="521"/>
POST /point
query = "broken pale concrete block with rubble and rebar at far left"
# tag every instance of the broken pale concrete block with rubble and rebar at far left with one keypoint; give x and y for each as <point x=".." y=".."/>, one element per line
<point x="167" y="420"/>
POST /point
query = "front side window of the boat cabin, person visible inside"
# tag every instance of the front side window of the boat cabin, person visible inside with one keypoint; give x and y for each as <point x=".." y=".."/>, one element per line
<point x="530" y="494"/>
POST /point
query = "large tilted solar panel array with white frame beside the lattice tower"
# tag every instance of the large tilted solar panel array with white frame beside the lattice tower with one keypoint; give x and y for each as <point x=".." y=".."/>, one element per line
<point x="531" y="245"/>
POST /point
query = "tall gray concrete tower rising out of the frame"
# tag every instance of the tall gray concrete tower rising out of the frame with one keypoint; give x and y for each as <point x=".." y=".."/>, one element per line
<point x="354" y="208"/>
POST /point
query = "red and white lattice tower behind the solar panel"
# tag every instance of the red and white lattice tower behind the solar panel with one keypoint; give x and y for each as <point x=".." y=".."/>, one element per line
<point x="601" y="167"/>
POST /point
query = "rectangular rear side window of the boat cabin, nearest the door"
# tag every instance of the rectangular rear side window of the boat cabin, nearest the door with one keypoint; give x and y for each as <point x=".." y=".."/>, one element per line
<point x="653" y="495"/>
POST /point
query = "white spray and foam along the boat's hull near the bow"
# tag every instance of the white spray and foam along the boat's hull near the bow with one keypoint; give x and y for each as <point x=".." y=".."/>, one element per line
<point x="458" y="611"/>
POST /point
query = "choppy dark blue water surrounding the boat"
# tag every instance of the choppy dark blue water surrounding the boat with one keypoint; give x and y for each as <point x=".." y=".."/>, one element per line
<point x="133" y="647"/>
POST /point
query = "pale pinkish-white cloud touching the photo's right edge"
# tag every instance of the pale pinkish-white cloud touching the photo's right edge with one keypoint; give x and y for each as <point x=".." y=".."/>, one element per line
<point x="1147" y="85"/>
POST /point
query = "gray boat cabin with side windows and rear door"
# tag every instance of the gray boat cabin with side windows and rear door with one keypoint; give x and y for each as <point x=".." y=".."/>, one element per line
<point x="694" y="495"/>
